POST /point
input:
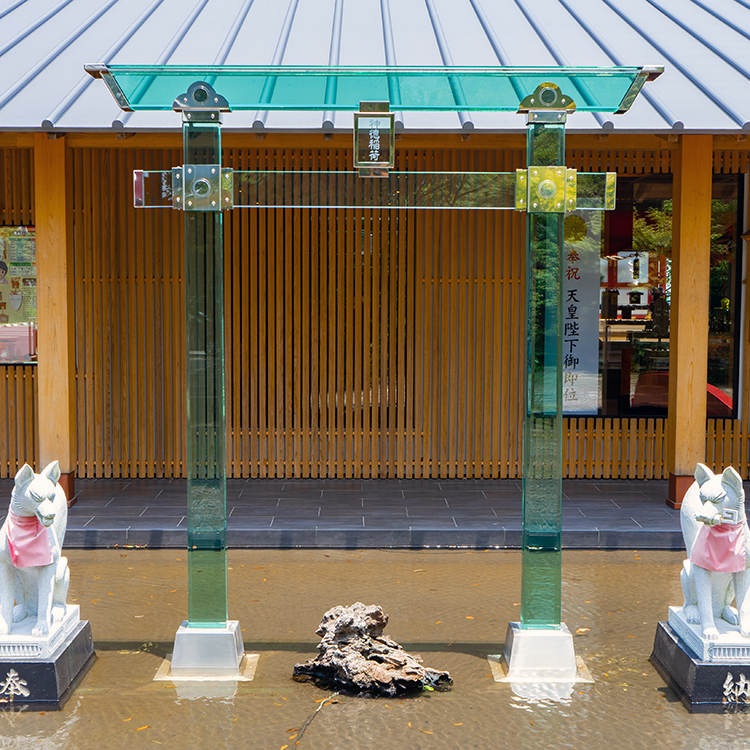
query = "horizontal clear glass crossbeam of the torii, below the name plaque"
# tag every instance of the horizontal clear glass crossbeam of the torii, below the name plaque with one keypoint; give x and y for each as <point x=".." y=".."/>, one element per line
<point x="401" y="190"/>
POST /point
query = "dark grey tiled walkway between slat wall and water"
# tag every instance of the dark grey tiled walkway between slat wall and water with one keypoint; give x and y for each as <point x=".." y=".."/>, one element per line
<point x="408" y="513"/>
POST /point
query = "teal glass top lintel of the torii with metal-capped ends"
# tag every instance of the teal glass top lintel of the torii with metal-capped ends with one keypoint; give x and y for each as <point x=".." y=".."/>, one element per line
<point x="331" y="88"/>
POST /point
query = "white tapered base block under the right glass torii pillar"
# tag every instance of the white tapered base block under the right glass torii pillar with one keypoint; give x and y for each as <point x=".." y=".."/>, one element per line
<point x="539" y="663"/>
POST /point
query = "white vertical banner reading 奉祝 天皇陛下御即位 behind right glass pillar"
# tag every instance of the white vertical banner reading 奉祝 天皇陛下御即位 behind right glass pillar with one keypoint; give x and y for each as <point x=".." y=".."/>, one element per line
<point x="581" y="274"/>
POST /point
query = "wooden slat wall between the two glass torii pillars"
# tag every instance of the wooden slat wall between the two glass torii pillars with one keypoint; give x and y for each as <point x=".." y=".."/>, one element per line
<point x="372" y="343"/>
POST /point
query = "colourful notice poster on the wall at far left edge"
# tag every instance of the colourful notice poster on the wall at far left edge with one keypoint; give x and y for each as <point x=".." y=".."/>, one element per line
<point x="18" y="294"/>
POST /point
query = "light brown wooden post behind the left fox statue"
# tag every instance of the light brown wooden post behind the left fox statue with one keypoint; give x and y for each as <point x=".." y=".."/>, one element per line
<point x="56" y="373"/>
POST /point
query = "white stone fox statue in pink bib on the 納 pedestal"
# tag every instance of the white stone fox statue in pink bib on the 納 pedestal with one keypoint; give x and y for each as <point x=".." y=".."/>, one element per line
<point x="714" y="526"/>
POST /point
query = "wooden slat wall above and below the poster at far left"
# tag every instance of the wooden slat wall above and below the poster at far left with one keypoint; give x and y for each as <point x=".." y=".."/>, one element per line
<point x="18" y="439"/>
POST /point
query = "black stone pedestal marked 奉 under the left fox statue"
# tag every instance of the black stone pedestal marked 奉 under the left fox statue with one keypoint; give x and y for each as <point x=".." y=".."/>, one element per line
<point x="50" y="682"/>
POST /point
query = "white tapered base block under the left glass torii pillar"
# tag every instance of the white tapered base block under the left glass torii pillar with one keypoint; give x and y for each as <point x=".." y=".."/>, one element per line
<point x="208" y="652"/>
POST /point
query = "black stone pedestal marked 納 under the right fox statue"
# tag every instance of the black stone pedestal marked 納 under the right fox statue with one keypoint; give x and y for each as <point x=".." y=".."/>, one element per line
<point x="706" y="687"/>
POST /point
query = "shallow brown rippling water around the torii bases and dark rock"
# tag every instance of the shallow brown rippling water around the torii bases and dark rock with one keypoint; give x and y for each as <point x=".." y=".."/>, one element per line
<point x="452" y="607"/>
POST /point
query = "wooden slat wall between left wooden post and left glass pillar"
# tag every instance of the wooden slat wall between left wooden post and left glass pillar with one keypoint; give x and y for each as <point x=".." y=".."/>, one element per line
<point x="129" y="320"/>
